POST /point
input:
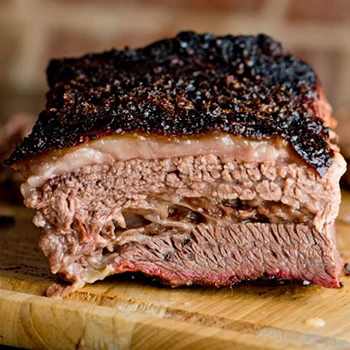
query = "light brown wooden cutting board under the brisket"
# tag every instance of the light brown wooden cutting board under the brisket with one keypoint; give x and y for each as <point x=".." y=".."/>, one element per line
<point x="131" y="312"/>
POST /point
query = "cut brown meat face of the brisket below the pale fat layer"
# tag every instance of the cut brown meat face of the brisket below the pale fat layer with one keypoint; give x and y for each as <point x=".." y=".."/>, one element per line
<point x="172" y="218"/>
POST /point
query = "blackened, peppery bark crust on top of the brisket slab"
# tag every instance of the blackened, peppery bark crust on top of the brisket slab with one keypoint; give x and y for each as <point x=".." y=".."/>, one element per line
<point x="191" y="84"/>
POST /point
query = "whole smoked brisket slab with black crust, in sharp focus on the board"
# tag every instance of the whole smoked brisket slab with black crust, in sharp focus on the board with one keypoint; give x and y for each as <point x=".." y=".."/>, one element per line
<point x="197" y="159"/>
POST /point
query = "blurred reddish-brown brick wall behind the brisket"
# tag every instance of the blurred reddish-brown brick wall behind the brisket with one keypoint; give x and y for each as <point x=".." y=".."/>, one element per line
<point x="32" y="31"/>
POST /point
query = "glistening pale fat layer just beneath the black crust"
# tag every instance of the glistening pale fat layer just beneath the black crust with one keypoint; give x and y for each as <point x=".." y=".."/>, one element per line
<point x="110" y="150"/>
